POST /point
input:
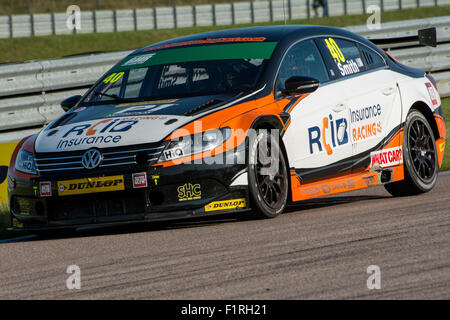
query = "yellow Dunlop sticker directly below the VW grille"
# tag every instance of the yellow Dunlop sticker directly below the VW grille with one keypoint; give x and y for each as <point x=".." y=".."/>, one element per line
<point x="90" y="185"/>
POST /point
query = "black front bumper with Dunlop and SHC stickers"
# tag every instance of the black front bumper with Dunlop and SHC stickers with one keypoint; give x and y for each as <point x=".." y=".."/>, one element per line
<point x="181" y="191"/>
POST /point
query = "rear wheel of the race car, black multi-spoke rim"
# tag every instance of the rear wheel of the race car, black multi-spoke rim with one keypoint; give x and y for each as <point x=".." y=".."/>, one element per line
<point x="419" y="158"/>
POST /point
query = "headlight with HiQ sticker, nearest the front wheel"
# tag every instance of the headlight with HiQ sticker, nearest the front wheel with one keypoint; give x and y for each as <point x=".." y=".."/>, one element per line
<point x="196" y="143"/>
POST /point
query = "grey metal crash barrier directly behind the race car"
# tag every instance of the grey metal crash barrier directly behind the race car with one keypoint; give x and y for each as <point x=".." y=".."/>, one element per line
<point x="31" y="92"/>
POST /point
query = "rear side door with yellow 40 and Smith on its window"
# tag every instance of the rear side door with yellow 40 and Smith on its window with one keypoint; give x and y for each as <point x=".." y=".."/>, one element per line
<point x="372" y="95"/>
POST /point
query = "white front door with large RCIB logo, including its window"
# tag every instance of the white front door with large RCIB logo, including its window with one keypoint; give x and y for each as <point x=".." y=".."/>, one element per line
<point x="317" y="140"/>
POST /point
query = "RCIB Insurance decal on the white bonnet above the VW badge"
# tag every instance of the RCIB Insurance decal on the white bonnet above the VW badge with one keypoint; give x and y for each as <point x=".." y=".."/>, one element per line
<point x="106" y="131"/>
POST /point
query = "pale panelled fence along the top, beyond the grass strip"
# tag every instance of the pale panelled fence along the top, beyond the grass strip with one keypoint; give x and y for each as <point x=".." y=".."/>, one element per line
<point x="26" y="25"/>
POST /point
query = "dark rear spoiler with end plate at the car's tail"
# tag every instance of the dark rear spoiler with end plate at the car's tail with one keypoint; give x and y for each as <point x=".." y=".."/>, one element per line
<point x="425" y="37"/>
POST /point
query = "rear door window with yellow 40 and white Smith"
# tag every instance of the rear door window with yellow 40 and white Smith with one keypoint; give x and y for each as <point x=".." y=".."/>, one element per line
<point x="344" y="56"/>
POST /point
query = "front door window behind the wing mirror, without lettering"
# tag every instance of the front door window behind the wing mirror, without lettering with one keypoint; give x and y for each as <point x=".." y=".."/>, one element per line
<point x="303" y="59"/>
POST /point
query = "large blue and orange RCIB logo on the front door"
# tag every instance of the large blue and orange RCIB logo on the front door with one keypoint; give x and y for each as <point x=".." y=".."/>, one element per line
<point x="318" y="136"/>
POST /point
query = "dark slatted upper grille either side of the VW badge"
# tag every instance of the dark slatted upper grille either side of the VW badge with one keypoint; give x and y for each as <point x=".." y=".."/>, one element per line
<point x="47" y="163"/>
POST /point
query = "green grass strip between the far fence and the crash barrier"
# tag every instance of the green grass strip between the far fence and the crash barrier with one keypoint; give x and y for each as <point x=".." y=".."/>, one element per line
<point x="46" y="47"/>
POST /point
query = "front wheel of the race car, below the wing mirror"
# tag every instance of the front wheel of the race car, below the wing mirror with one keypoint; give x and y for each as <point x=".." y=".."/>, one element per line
<point x="268" y="178"/>
